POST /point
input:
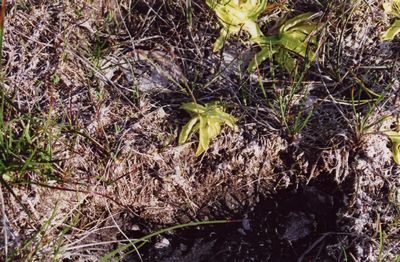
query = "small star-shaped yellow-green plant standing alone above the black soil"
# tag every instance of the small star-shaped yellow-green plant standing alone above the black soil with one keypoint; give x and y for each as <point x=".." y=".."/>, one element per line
<point x="207" y="120"/>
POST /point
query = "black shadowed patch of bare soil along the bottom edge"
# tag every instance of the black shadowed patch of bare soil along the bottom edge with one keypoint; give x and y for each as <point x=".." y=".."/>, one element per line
<point x="294" y="224"/>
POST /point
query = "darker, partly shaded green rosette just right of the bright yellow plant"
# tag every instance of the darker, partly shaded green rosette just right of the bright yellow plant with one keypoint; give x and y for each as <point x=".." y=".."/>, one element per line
<point x="296" y="37"/>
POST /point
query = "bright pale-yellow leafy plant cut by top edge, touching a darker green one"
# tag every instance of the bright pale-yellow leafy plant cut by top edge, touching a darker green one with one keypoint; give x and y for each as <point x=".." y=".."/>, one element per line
<point x="236" y="15"/>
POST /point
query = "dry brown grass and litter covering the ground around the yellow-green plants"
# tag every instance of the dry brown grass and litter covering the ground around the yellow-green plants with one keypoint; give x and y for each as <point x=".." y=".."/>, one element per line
<point x="110" y="75"/>
